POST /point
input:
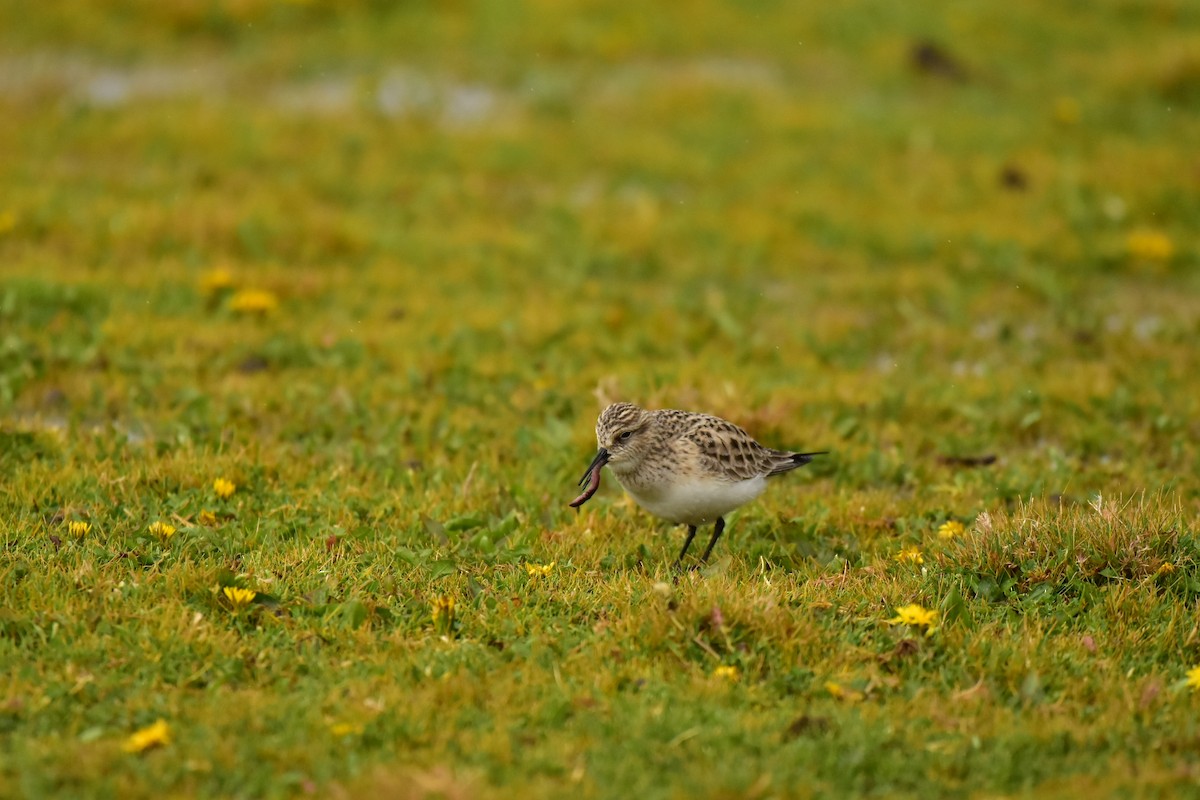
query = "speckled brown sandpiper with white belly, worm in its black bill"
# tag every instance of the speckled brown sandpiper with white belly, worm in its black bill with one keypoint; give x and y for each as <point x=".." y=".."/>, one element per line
<point x="685" y="467"/>
